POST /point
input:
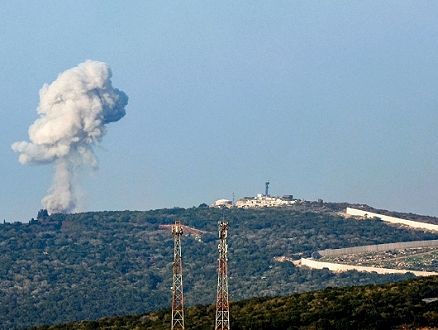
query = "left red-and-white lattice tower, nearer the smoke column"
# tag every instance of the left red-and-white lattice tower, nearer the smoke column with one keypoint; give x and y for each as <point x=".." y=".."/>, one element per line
<point x="177" y="287"/>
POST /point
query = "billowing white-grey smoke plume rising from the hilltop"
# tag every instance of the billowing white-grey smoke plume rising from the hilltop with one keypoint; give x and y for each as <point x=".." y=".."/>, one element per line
<point x="74" y="112"/>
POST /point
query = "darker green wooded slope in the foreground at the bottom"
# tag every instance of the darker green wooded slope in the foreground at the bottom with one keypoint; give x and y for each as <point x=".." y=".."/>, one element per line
<point x="397" y="305"/>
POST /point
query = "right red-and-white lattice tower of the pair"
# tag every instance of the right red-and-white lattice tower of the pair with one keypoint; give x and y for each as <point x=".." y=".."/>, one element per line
<point x="222" y="303"/>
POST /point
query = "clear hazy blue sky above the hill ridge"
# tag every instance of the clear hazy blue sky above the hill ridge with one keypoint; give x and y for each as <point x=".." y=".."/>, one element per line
<point x="326" y="99"/>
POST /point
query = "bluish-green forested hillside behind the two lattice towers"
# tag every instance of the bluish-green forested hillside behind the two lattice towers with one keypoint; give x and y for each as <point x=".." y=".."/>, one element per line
<point x="90" y="265"/>
